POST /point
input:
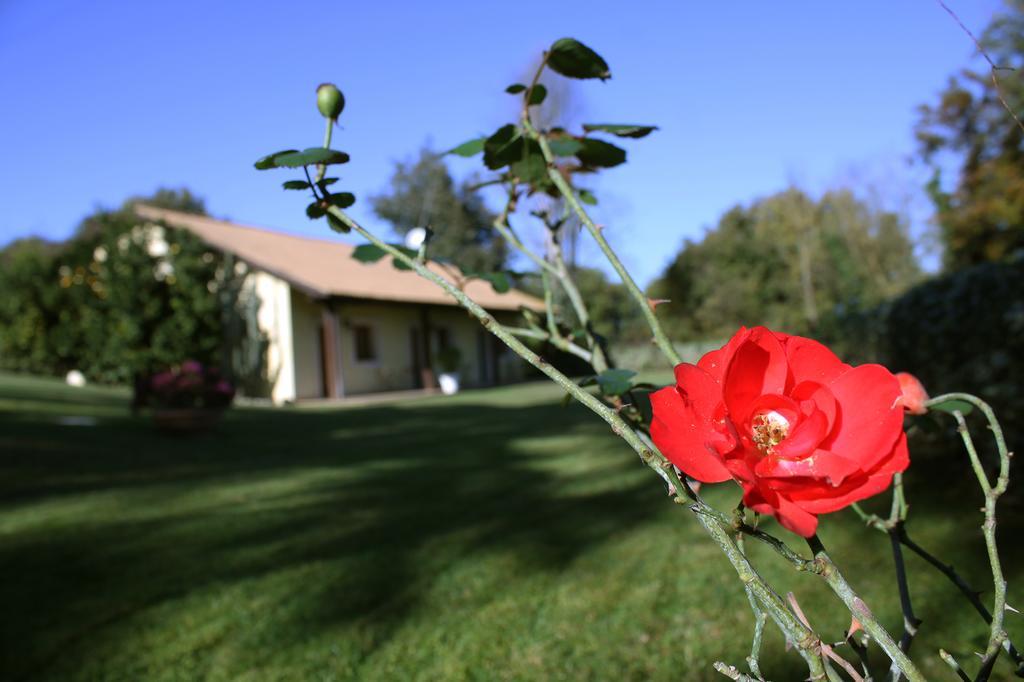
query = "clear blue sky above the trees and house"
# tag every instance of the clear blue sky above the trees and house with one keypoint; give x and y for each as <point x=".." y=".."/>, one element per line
<point x="107" y="100"/>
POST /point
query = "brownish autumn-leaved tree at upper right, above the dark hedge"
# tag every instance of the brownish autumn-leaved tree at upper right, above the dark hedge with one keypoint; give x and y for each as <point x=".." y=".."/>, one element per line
<point x="982" y="217"/>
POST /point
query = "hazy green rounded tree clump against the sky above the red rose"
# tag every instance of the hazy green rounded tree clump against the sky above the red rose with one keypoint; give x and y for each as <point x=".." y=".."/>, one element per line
<point x="786" y="262"/>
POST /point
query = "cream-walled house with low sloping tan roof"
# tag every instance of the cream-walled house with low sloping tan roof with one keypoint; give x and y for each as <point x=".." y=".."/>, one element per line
<point x="338" y="327"/>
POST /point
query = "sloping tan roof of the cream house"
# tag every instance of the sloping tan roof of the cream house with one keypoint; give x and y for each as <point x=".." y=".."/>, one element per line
<point x="325" y="268"/>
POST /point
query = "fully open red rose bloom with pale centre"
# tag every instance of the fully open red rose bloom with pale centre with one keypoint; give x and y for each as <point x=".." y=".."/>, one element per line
<point x="801" y="432"/>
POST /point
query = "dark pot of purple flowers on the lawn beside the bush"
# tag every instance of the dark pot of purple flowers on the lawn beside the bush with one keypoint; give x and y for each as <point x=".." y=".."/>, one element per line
<point x="189" y="398"/>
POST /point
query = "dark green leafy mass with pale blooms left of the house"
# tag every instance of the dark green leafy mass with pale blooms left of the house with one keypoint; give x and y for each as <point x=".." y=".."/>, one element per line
<point x="122" y="300"/>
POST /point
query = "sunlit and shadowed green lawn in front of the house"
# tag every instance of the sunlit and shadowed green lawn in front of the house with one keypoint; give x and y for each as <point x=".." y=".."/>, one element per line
<point x="487" y="537"/>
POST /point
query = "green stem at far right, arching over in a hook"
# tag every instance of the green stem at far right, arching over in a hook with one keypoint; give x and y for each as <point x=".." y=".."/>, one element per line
<point x="998" y="636"/>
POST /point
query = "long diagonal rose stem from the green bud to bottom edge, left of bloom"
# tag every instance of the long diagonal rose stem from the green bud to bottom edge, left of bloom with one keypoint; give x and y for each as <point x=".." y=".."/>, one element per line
<point x="714" y="523"/>
